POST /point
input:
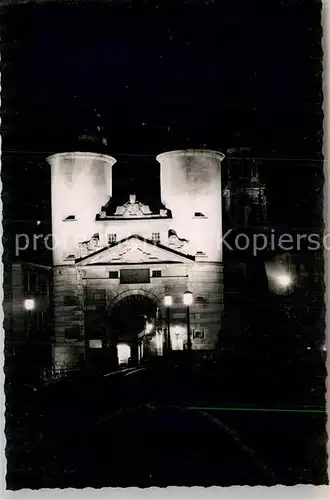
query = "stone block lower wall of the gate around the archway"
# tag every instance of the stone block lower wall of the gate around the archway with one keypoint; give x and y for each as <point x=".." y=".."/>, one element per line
<point x="72" y="286"/>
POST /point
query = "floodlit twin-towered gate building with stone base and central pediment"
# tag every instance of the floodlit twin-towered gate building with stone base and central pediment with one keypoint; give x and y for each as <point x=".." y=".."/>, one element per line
<point x="114" y="264"/>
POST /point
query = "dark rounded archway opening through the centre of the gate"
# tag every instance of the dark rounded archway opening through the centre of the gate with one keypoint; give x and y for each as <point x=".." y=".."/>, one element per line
<point x="129" y="317"/>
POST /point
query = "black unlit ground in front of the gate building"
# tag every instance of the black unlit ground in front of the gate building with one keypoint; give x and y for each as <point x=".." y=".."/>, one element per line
<point x="160" y="425"/>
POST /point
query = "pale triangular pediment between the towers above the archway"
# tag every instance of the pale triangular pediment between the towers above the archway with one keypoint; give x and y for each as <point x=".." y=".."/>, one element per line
<point x="134" y="249"/>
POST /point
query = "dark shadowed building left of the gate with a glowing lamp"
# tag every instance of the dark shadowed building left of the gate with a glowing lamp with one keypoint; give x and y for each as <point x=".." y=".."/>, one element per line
<point x="28" y="319"/>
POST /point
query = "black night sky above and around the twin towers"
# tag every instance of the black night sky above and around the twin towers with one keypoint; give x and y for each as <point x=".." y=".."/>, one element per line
<point x="203" y="74"/>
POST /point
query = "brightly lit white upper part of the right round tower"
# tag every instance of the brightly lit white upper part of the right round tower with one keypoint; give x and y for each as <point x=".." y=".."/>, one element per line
<point x="191" y="189"/>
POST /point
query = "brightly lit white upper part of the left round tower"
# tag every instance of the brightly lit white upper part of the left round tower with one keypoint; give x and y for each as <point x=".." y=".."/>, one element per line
<point x="81" y="184"/>
